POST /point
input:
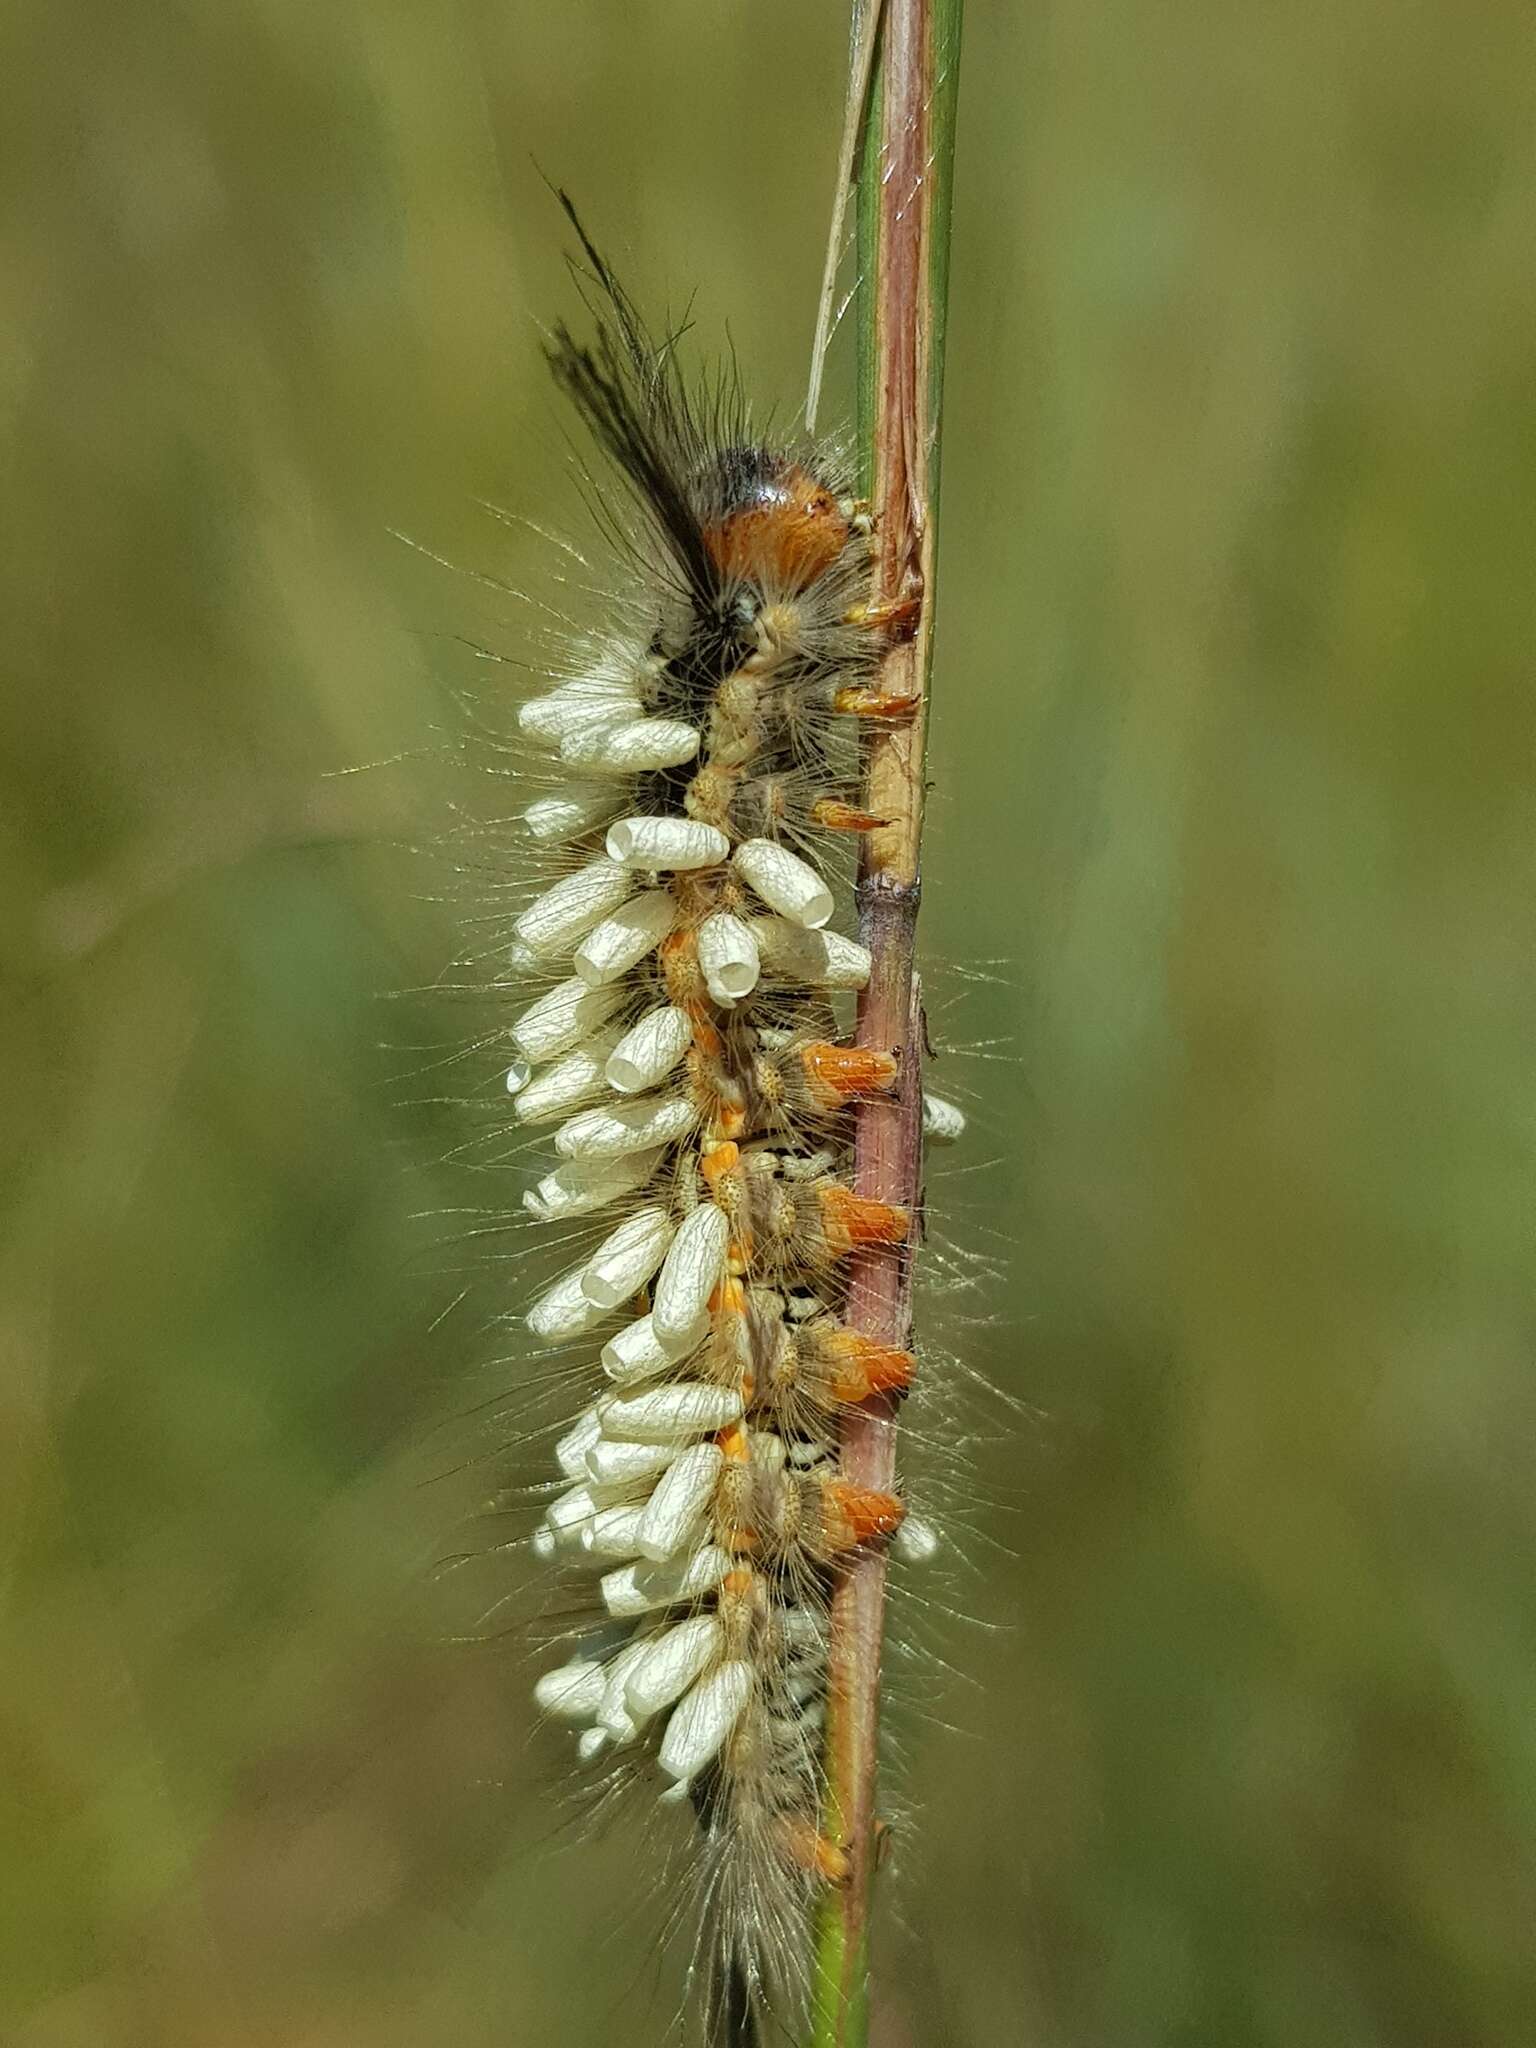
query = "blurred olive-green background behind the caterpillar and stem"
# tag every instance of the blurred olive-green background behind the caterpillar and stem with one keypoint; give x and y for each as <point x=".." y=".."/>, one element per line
<point x="1232" y="779"/>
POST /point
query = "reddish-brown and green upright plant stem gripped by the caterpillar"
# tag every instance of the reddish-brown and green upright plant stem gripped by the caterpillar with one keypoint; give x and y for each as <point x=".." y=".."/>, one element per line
<point x="904" y="222"/>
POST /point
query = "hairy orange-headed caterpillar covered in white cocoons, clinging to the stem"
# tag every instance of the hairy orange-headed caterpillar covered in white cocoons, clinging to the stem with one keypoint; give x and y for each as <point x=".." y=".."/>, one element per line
<point x="687" y="1043"/>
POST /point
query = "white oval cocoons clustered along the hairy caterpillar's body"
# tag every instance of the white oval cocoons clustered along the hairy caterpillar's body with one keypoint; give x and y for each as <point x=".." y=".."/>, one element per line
<point x="603" y="1056"/>
